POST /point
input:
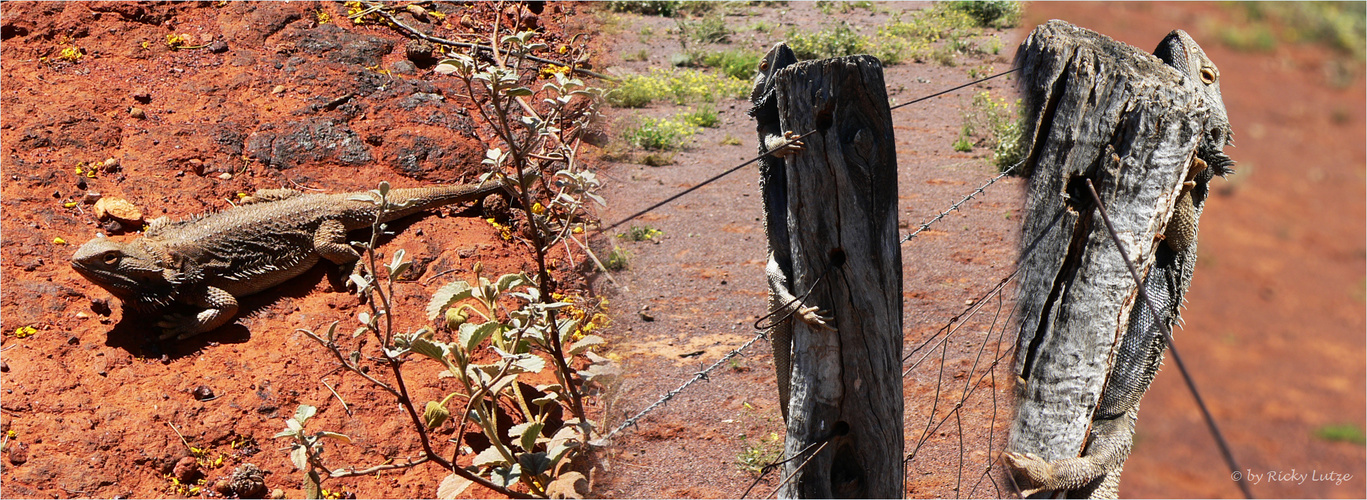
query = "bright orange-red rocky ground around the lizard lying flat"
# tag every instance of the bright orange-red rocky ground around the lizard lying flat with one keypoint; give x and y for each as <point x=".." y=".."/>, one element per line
<point x="90" y="395"/>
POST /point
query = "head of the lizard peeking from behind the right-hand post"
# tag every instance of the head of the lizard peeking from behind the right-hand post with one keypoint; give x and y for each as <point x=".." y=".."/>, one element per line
<point x="1182" y="53"/>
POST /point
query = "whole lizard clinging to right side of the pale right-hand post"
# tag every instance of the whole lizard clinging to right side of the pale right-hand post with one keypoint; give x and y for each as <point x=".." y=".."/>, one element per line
<point x="1097" y="472"/>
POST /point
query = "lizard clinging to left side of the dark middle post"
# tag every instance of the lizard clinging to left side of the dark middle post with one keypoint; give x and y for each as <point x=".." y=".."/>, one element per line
<point x="777" y="145"/>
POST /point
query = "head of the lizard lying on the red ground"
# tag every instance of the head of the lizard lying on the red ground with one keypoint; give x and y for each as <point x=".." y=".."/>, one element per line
<point x="128" y="271"/>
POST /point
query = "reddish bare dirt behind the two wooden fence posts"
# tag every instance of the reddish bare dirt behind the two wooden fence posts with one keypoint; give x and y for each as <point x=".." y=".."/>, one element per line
<point x="1283" y="251"/>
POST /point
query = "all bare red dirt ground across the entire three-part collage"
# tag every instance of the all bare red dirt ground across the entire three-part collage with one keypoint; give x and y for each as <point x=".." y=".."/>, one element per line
<point x="1275" y="327"/>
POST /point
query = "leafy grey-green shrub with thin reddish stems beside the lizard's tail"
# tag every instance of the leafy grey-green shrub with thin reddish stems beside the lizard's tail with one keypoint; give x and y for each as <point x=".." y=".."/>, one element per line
<point x="496" y="333"/>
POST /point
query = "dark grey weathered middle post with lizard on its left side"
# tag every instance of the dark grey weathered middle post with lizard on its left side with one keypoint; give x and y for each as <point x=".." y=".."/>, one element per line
<point x="847" y="389"/>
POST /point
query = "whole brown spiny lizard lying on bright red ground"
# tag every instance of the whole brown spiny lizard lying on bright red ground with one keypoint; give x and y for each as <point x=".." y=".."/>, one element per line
<point x="210" y="262"/>
